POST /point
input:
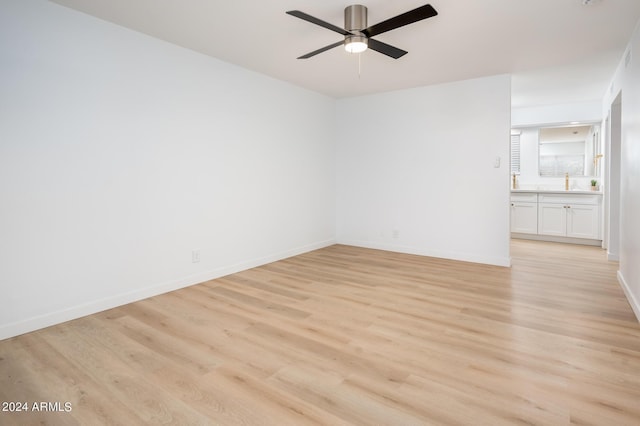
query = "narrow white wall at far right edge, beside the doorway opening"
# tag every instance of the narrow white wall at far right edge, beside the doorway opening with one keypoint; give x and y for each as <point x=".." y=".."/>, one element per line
<point x="627" y="82"/>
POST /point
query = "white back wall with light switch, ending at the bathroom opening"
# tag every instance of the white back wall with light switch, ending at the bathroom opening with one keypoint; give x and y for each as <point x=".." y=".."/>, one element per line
<point x="416" y="170"/>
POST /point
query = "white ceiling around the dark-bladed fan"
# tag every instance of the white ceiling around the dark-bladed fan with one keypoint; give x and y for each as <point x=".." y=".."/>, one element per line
<point x="557" y="50"/>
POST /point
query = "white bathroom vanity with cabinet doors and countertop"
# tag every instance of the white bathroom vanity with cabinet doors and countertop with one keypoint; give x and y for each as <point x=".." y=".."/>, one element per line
<point x="562" y="216"/>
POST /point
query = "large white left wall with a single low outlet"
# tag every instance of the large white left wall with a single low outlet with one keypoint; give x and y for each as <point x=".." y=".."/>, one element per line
<point x="120" y="153"/>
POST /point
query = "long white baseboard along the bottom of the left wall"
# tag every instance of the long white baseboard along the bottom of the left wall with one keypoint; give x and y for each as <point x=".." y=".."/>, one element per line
<point x="53" y="318"/>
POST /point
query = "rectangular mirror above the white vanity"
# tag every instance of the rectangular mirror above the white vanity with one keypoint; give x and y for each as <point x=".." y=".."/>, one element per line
<point x="569" y="149"/>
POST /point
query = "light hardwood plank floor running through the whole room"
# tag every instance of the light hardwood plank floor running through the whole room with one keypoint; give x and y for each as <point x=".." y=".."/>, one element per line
<point x="346" y="335"/>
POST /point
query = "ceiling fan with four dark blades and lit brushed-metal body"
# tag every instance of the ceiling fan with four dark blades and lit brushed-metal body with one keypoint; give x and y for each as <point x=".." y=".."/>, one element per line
<point x="357" y="36"/>
